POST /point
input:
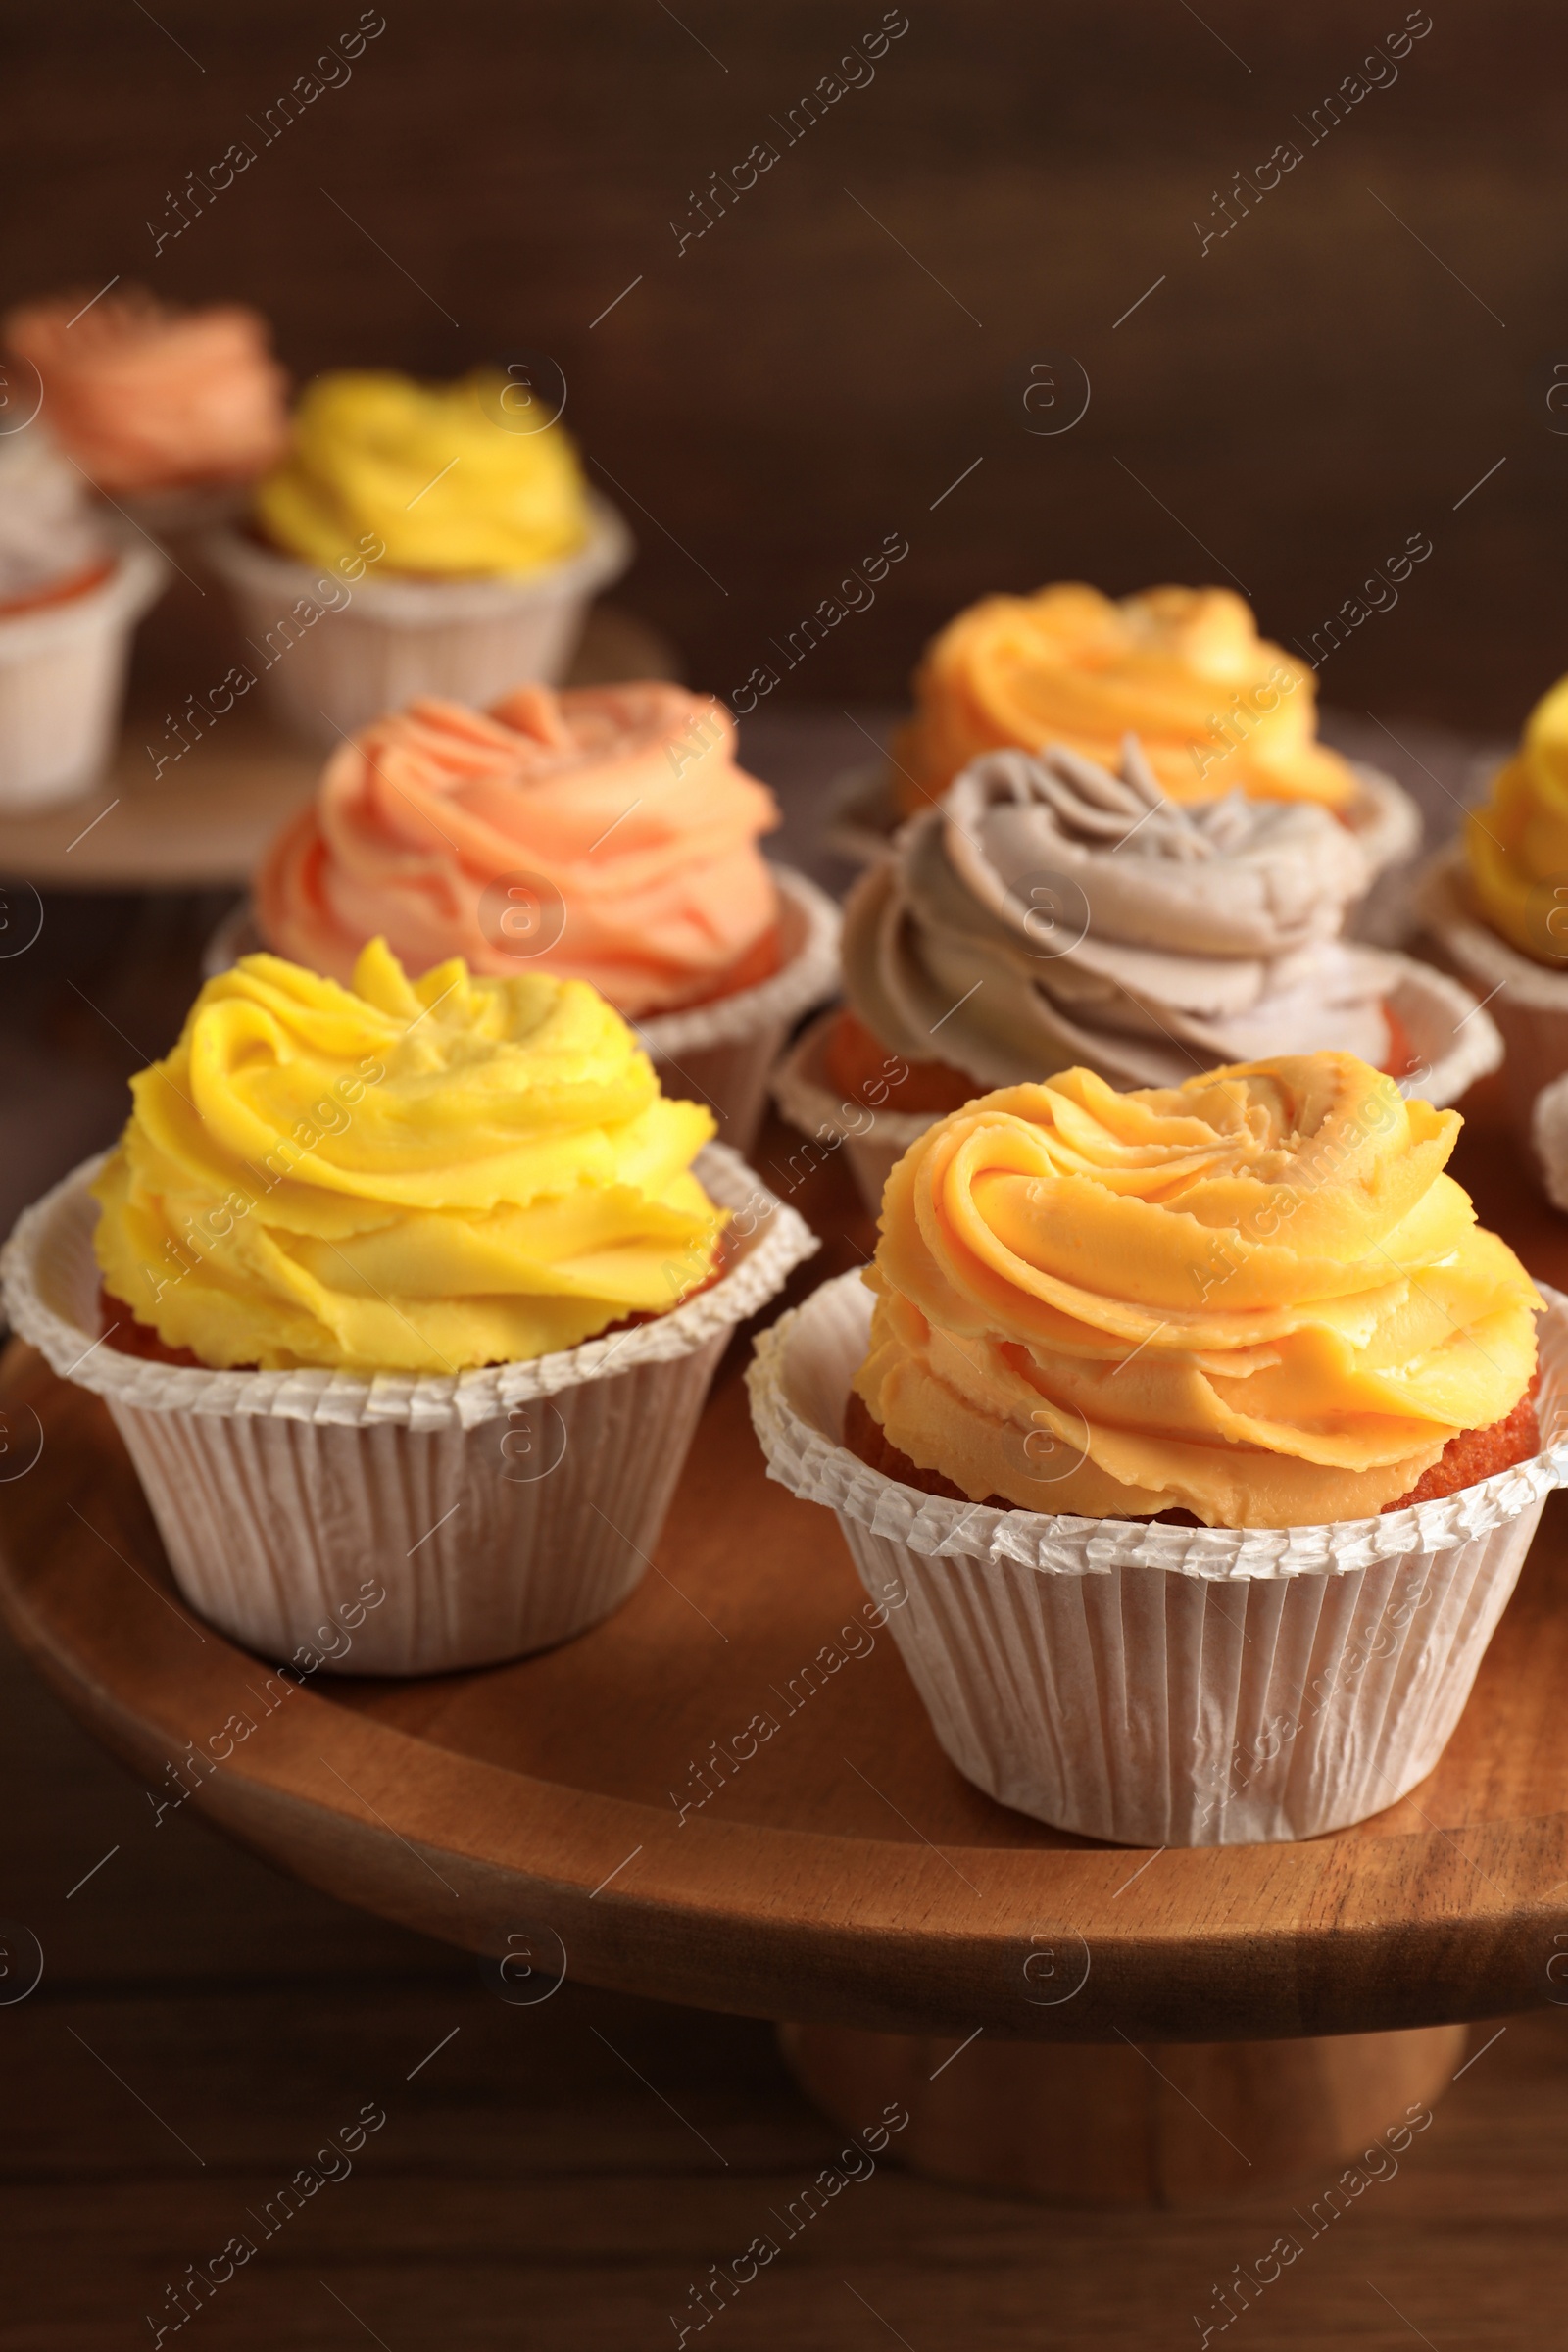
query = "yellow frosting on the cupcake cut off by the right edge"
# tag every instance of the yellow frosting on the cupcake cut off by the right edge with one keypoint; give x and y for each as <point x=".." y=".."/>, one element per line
<point x="1517" y="841"/>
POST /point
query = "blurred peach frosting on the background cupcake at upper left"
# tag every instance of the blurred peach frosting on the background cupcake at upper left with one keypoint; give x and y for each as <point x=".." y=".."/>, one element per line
<point x="145" y="396"/>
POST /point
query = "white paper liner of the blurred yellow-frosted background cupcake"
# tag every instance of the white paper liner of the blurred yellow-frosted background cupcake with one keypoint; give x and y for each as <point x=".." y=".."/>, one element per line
<point x="398" y="639"/>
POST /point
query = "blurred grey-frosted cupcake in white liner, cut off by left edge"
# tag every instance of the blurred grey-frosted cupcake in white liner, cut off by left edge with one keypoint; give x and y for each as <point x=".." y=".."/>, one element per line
<point x="69" y="601"/>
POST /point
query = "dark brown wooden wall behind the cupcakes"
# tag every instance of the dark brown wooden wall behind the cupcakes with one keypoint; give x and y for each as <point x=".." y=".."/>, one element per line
<point x="1285" y="410"/>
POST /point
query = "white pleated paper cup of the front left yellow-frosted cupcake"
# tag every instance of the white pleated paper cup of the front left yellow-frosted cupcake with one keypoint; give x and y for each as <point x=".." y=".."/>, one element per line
<point x="497" y="1511"/>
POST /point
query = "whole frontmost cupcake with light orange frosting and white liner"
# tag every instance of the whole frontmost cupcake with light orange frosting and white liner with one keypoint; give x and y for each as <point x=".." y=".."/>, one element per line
<point x="1205" y="1431"/>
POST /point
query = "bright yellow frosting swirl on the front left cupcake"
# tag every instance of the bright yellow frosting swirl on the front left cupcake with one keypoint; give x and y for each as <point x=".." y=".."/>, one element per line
<point x="401" y="1175"/>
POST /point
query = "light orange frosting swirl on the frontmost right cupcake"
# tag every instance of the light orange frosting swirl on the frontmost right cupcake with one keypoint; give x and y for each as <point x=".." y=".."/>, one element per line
<point x="1254" y="1297"/>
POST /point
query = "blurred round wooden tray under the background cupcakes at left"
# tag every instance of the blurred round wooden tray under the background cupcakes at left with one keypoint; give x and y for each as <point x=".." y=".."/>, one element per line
<point x="206" y="820"/>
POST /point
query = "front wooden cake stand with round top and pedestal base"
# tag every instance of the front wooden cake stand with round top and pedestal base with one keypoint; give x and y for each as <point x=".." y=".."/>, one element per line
<point x="1059" y="2019"/>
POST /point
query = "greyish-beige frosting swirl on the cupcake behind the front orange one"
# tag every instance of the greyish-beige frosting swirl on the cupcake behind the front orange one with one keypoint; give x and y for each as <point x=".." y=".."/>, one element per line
<point x="1054" y="911"/>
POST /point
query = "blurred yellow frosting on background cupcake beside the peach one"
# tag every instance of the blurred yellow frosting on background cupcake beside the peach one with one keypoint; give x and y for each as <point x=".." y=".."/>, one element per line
<point x="434" y="469"/>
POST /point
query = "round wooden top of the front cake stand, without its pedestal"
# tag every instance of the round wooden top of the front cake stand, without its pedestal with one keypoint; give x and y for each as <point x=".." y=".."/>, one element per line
<point x="845" y="1873"/>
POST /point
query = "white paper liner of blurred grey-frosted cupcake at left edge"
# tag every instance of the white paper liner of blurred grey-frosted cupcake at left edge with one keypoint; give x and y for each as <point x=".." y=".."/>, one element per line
<point x="62" y="679"/>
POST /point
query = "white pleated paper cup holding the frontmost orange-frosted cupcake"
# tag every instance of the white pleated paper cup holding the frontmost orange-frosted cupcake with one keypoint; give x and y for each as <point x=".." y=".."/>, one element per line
<point x="1160" y="1685"/>
